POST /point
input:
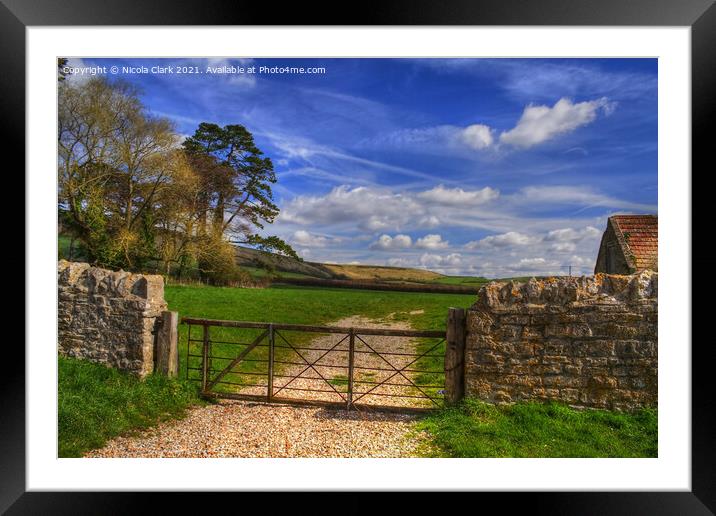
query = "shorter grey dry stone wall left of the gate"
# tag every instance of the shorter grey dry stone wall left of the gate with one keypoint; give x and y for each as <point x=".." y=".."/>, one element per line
<point x="109" y="317"/>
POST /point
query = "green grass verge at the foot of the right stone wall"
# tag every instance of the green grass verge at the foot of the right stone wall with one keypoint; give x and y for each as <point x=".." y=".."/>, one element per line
<point x="478" y="429"/>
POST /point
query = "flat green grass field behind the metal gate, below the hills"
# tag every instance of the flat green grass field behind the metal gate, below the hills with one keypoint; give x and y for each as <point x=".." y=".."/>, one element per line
<point x="294" y="305"/>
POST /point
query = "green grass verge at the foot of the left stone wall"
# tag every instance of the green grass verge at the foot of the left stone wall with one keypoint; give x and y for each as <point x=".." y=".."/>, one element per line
<point x="97" y="403"/>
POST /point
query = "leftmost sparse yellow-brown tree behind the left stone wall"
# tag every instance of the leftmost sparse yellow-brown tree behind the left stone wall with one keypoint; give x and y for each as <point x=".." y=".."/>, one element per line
<point x="113" y="160"/>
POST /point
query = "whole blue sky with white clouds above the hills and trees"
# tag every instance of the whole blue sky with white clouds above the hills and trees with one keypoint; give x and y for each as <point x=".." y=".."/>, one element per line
<point x="494" y="167"/>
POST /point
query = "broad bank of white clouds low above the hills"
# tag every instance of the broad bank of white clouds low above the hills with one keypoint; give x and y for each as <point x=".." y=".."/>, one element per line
<point x="518" y="235"/>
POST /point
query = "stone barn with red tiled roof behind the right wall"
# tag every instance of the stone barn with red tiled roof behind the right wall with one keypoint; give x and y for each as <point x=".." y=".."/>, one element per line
<point x="629" y="245"/>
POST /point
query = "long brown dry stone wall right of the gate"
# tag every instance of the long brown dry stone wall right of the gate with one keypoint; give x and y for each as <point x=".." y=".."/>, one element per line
<point x="589" y="341"/>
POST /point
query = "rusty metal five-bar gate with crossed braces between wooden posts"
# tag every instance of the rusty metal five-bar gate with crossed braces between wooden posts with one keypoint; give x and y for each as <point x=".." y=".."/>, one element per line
<point x="354" y="368"/>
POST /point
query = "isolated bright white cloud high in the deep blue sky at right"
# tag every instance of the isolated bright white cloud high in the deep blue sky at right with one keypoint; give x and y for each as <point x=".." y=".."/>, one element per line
<point x="541" y="123"/>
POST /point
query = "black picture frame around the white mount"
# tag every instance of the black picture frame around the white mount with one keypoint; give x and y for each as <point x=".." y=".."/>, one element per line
<point x="700" y="15"/>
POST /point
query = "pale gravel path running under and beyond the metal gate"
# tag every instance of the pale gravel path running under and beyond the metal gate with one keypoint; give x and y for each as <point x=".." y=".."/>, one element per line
<point x="232" y="428"/>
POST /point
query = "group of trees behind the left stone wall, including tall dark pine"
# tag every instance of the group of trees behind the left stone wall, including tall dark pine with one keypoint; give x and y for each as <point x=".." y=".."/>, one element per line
<point x="137" y="196"/>
